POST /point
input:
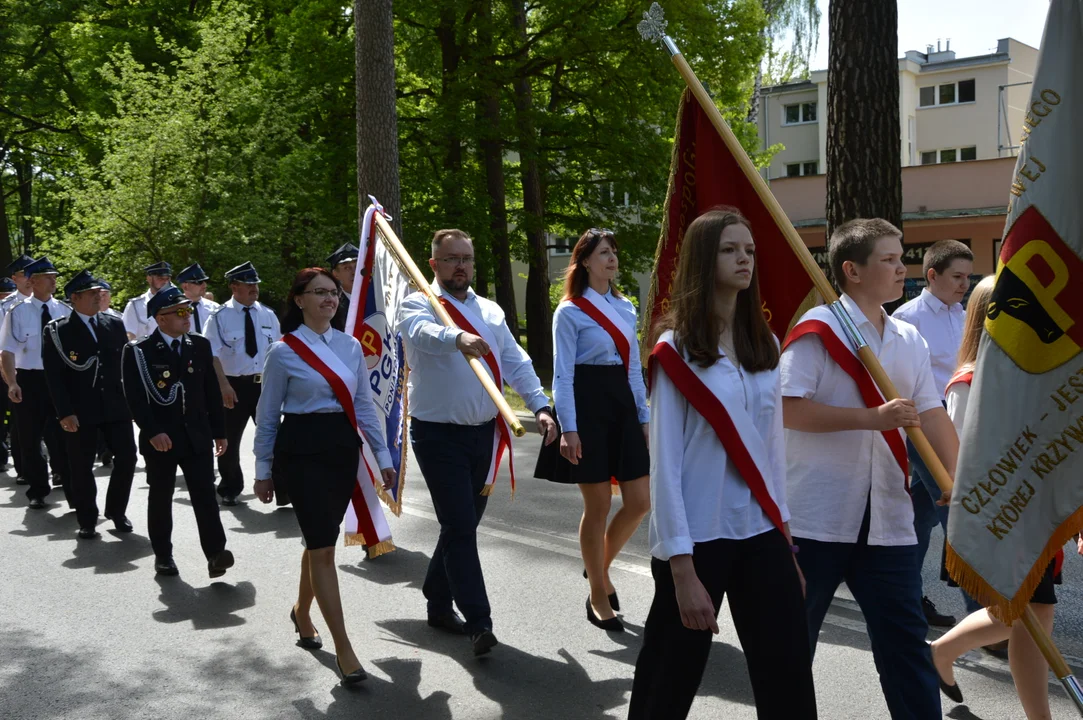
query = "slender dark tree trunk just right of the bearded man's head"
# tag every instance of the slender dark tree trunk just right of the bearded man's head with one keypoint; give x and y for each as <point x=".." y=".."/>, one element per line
<point x="492" y="151"/>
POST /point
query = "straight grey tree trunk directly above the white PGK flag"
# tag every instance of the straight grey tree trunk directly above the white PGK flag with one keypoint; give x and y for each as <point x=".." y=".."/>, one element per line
<point x="377" y="121"/>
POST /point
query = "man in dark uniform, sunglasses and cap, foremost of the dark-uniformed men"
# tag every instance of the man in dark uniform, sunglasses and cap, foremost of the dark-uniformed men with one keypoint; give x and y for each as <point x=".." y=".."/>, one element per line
<point x="173" y="394"/>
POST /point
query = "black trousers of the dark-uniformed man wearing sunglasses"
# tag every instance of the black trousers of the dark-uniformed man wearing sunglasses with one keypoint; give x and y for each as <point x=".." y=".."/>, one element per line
<point x="200" y="478"/>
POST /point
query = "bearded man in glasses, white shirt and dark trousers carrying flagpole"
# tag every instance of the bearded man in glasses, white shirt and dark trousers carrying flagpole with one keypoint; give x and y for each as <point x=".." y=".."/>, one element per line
<point x="454" y="427"/>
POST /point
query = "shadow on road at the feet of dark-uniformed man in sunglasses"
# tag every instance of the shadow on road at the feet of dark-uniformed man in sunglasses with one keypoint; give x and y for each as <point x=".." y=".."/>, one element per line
<point x="207" y="608"/>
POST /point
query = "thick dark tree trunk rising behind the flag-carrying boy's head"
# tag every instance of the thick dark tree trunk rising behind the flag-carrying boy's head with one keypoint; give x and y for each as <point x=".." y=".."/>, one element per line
<point x="864" y="138"/>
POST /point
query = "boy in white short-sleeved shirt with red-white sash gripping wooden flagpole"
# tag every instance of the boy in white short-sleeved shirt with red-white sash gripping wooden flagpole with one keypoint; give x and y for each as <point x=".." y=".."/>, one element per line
<point x="847" y="486"/>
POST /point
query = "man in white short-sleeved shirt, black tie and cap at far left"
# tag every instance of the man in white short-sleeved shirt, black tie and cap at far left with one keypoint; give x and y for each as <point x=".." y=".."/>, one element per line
<point x="21" y="364"/>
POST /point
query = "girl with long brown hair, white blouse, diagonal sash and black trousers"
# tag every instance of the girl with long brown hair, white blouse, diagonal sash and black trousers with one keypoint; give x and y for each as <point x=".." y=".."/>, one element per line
<point x="720" y="522"/>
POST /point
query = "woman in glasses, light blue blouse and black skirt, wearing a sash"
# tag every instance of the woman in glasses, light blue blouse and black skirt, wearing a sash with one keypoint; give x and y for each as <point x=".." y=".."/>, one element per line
<point x="318" y="448"/>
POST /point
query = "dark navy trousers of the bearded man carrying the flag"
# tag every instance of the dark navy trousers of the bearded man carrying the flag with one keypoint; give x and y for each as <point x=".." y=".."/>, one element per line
<point x="455" y="461"/>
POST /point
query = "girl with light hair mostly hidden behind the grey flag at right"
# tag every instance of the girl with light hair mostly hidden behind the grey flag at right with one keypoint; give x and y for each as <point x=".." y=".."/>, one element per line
<point x="1029" y="669"/>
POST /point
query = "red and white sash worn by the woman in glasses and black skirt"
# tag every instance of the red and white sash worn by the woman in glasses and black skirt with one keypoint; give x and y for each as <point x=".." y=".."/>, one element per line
<point x="366" y="518"/>
